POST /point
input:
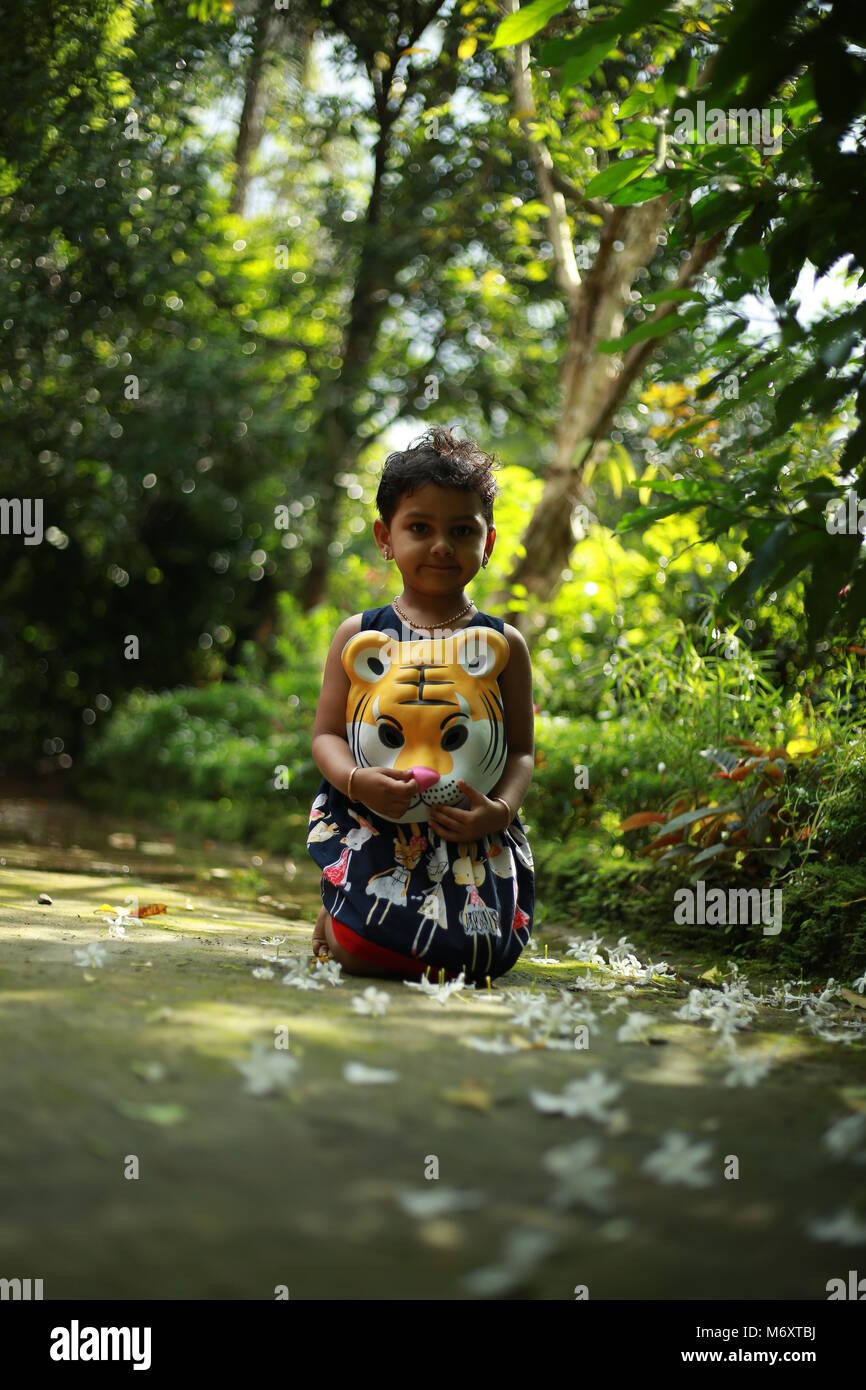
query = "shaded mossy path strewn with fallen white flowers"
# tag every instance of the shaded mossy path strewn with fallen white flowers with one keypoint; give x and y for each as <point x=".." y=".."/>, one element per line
<point x="322" y="1185"/>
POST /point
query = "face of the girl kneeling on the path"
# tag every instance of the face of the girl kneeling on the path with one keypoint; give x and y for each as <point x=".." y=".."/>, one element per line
<point x="439" y="539"/>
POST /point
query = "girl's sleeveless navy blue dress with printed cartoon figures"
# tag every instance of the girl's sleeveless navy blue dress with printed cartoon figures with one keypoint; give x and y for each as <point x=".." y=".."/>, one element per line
<point x="419" y="894"/>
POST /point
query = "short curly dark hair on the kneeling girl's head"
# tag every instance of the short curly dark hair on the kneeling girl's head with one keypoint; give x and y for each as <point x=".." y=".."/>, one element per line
<point x="443" y="459"/>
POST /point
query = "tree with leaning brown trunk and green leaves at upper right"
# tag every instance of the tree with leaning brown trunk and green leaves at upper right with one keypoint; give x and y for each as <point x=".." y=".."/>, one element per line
<point x="765" y="49"/>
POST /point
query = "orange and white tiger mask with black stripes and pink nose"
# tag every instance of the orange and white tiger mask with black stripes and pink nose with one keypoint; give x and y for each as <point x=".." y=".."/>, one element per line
<point x="430" y="705"/>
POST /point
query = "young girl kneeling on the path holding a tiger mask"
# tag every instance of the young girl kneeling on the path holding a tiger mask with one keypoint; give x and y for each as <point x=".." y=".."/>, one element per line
<point x="422" y="871"/>
